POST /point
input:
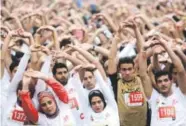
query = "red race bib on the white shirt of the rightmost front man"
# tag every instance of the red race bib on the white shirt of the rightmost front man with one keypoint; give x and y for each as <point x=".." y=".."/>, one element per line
<point x="167" y="112"/>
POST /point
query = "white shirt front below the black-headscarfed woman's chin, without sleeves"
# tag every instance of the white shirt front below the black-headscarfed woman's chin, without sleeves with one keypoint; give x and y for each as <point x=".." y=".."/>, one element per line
<point x="106" y="118"/>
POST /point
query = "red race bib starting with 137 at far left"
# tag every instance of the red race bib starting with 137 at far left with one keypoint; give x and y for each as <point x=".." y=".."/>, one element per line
<point x="19" y="116"/>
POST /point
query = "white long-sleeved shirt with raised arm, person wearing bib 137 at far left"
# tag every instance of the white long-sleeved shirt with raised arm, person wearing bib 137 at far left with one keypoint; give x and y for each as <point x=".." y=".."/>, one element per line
<point x="9" y="105"/>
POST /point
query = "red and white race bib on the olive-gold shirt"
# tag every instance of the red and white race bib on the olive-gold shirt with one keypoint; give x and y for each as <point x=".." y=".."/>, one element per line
<point x="134" y="99"/>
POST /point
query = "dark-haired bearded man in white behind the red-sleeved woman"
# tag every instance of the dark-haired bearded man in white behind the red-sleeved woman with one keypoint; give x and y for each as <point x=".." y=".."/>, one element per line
<point x="61" y="74"/>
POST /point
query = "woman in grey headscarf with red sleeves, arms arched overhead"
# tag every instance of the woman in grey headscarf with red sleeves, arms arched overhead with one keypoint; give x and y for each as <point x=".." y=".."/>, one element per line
<point x="51" y="112"/>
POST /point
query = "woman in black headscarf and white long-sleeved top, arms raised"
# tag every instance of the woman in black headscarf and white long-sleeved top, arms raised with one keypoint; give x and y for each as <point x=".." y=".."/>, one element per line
<point x="100" y="107"/>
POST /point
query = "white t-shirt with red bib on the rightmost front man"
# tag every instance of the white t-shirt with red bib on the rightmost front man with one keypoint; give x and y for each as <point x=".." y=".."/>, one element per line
<point x="168" y="111"/>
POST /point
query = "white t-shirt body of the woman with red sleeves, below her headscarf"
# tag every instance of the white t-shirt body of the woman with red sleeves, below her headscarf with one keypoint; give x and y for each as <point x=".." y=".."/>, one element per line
<point x="64" y="118"/>
